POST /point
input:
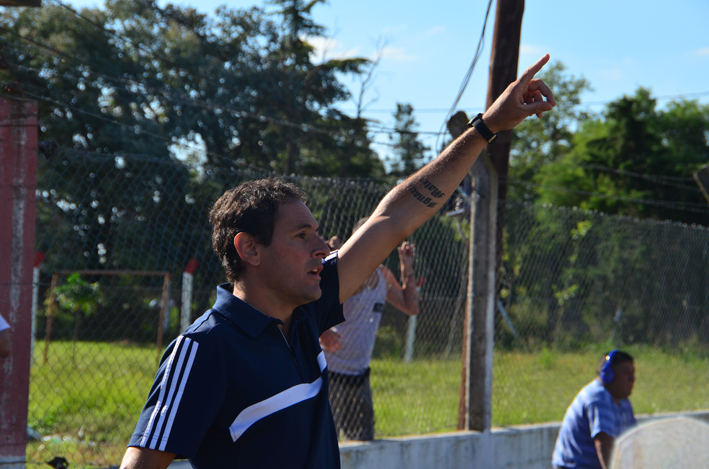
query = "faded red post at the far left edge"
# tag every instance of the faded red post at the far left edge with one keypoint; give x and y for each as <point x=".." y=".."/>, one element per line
<point x="18" y="183"/>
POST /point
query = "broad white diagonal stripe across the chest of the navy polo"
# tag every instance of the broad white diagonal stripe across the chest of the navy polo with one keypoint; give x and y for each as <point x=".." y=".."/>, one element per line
<point x="273" y="404"/>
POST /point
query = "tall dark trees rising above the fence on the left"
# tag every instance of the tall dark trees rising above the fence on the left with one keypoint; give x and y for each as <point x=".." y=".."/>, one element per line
<point x="241" y="86"/>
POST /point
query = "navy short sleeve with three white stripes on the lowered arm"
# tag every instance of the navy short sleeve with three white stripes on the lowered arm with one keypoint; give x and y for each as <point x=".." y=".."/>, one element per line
<point x="185" y="398"/>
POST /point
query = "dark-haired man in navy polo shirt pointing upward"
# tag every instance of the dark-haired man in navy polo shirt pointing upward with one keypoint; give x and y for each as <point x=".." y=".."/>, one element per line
<point x="247" y="384"/>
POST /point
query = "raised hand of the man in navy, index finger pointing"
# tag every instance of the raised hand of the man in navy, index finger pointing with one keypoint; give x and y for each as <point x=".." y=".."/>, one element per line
<point x="522" y="98"/>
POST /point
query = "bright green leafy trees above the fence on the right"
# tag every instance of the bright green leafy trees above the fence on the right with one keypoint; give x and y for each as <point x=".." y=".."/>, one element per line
<point x="636" y="160"/>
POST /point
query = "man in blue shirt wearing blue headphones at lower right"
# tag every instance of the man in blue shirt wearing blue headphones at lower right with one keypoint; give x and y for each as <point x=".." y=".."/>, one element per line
<point x="599" y="414"/>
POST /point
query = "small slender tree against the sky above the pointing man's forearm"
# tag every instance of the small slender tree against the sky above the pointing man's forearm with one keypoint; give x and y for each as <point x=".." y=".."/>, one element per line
<point x="409" y="152"/>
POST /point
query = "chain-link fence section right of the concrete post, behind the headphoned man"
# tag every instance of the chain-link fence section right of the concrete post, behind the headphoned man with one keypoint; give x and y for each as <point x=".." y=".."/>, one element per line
<point x="575" y="284"/>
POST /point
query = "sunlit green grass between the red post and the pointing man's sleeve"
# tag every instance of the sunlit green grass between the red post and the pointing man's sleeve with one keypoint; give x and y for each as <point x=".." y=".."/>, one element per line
<point x="87" y="408"/>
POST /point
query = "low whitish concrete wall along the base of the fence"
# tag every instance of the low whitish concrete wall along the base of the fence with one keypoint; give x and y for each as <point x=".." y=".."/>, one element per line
<point x="518" y="447"/>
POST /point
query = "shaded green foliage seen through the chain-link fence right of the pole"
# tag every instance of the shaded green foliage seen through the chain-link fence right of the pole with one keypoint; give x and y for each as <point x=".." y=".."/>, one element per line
<point x="574" y="277"/>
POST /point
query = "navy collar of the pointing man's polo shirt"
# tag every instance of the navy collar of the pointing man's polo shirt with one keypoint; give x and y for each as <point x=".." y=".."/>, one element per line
<point x="245" y="316"/>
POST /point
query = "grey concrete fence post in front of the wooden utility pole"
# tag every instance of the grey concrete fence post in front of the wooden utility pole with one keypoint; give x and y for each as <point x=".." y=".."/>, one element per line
<point x="480" y="304"/>
